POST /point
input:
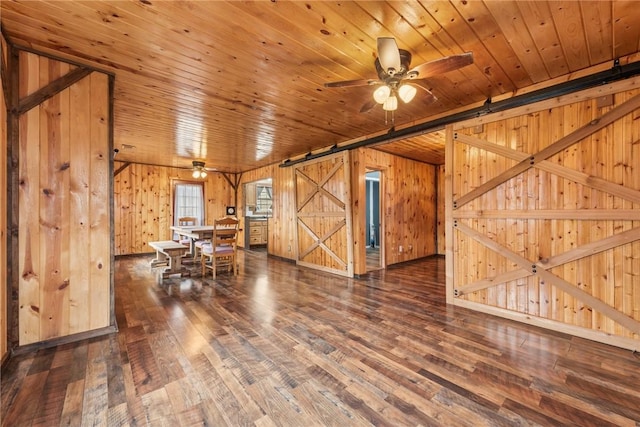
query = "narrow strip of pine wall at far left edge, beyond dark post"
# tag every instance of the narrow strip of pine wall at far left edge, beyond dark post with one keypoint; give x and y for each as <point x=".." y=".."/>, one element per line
<point x="4" y="348"/>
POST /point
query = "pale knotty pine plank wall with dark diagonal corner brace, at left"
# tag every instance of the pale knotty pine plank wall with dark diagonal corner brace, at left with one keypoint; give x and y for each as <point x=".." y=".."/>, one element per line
<point x="64" y="210"/>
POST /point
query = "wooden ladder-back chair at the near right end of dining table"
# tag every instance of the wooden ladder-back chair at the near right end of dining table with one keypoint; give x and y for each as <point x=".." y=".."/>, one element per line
<point x="223" y="249"/>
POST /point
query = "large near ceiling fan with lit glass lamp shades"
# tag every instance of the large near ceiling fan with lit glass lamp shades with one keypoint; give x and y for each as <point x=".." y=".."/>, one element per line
<point x="396" y="79"/>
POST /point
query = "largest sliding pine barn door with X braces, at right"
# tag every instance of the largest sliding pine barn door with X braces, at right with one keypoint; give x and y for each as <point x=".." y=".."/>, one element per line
<point x="544" y="214"/>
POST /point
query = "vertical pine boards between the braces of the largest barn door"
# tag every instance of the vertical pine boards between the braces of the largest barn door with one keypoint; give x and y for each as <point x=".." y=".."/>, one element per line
<point x="611" y="276"/>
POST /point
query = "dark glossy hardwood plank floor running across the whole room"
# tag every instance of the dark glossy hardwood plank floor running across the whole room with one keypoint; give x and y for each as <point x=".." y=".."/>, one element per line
<point x="279" y="345"/>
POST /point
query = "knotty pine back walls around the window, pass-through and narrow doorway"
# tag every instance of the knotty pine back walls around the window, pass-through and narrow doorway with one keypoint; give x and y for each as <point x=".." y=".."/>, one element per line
<point x="142" y="198"/>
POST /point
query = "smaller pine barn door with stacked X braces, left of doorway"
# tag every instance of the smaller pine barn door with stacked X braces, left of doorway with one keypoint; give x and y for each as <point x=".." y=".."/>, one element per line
<point x="323" y="214"/>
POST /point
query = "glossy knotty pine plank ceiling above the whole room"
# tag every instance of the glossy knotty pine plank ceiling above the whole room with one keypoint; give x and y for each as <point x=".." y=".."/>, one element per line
<point x="239" y="85"/>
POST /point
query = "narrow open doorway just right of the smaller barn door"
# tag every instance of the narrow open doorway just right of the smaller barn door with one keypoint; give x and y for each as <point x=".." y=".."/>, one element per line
<point x="373" y="221"/>
